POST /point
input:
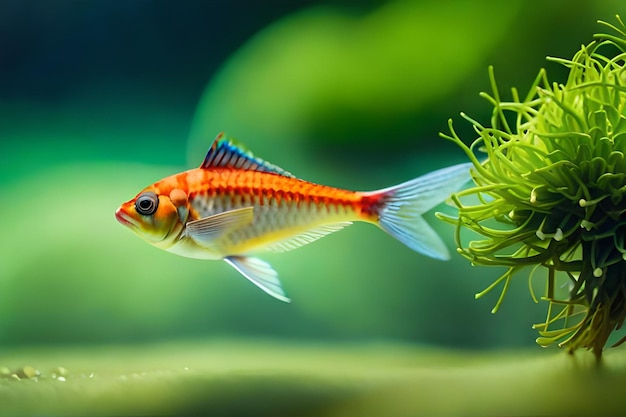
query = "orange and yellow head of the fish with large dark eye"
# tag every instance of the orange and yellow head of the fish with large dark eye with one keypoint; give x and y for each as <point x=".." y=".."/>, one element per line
<point x="156" y="217"/>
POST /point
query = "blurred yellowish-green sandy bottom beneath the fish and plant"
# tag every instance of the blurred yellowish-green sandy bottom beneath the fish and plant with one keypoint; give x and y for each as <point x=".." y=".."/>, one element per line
<point x="273" y="378"/>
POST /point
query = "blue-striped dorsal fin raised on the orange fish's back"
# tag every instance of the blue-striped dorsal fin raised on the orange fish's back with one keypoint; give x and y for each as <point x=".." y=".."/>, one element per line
<point x="224" y="153"/>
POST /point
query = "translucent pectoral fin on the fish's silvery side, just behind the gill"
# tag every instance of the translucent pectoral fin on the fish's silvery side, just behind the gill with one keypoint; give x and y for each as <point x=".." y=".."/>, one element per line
<point x="204" y="231"/>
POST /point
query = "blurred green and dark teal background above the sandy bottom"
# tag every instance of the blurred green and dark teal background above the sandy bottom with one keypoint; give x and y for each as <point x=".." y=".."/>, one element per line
<point x="101" y="98"/>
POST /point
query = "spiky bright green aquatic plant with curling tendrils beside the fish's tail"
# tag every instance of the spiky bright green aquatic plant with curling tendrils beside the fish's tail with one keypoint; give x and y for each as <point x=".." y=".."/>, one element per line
<point x="552" y="193"/>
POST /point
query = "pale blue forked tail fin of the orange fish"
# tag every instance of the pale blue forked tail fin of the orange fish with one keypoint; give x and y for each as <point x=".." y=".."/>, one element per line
<point x="399" y="208"/>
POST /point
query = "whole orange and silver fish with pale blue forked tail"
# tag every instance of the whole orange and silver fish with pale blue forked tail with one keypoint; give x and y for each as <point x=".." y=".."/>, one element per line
<point x="236" y="206"/>
